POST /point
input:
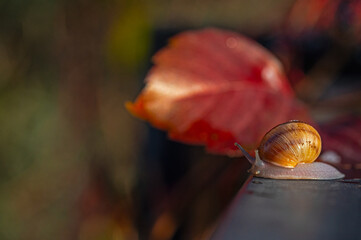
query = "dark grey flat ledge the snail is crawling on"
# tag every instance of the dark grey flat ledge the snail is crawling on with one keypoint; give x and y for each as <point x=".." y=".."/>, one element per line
<point x="294" y="209"/>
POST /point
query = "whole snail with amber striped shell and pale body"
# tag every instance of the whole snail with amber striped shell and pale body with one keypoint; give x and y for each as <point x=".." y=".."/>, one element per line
<point x="289" y="151"/>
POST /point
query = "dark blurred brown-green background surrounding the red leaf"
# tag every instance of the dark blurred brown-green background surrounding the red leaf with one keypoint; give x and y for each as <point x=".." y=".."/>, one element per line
<point x="74" y="164"/>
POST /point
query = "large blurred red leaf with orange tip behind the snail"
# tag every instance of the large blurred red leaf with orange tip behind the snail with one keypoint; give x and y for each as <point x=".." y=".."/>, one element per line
<point x="215" y="87"/>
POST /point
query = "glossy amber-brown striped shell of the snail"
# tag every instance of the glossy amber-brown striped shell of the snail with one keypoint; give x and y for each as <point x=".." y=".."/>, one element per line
<point x="290" y="143"/>
